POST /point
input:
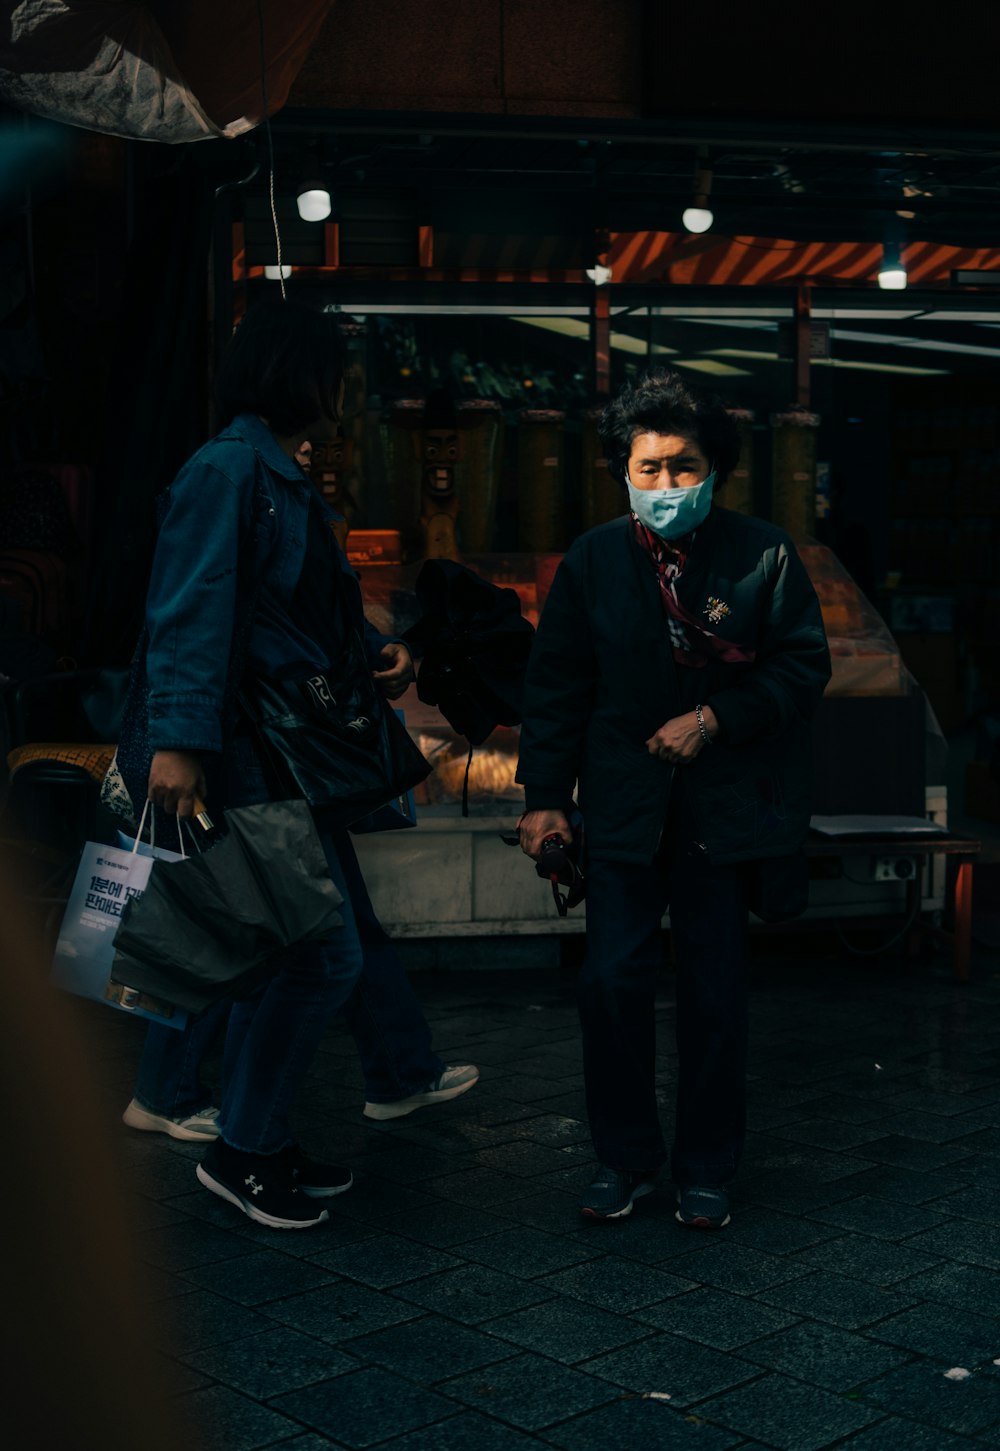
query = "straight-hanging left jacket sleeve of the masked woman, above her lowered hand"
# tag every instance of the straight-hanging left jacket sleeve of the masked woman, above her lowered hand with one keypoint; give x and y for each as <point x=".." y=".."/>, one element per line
<point x="560" y="690"/>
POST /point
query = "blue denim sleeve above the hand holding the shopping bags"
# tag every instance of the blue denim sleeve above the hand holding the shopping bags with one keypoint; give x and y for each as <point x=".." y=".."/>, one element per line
<point x="191" y="609"/>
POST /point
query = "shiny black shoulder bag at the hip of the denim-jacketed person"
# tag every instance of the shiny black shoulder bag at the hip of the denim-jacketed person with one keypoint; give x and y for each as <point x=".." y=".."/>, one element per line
<point x="333" y="741"/>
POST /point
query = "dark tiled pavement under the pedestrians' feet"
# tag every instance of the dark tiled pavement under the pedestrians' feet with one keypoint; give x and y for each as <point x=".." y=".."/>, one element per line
<point x="455" y="1302"/>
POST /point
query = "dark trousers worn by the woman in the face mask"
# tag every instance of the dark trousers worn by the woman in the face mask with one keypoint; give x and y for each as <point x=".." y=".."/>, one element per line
<point x="618" y="986"/>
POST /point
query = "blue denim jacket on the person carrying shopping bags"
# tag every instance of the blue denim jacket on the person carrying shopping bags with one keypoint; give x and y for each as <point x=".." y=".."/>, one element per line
<point x="233" y="538"/>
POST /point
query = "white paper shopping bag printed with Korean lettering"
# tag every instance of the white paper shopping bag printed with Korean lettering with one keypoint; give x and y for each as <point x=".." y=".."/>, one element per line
<point x="108" y="877"/>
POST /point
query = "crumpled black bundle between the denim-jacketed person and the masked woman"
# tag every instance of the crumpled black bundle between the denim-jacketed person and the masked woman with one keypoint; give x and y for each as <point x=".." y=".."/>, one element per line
<point x="475" y="645"/>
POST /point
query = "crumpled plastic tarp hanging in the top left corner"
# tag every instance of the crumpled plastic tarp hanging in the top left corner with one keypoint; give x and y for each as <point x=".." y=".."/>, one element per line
<point x="171" y="70"/>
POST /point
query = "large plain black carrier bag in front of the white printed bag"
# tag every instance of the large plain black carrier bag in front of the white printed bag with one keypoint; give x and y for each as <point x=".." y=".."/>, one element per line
<point x="211" y="926"/>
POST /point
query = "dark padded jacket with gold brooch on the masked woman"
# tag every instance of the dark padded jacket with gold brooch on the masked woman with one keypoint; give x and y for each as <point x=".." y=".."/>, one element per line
<point x="603" y="680"/>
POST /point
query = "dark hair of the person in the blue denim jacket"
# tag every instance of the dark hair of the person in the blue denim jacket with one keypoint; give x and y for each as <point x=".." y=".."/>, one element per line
<point x="284" y="363"/>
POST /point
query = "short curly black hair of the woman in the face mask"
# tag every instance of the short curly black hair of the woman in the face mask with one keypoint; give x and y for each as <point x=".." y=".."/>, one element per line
<point x="663" y="403"/>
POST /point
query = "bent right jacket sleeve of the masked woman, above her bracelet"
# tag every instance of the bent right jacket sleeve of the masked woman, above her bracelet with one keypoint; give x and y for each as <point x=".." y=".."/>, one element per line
<point x="792" y="667"/>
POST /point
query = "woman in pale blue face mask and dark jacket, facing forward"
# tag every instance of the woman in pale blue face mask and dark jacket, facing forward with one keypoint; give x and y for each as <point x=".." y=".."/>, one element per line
<point x="677" y="667"/>
